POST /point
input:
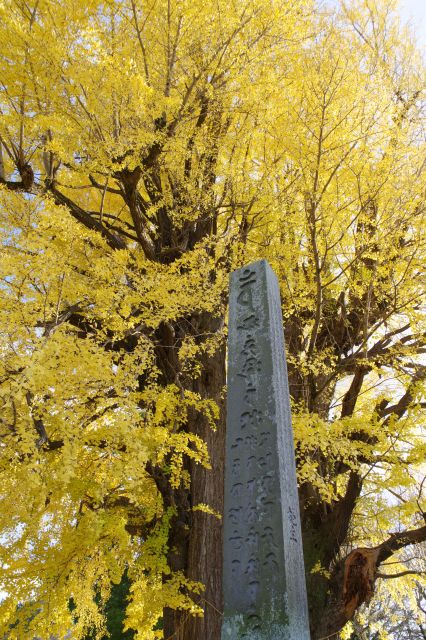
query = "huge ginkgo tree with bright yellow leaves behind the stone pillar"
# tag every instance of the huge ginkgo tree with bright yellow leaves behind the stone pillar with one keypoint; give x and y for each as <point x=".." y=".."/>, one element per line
<point x="146" y="150"/>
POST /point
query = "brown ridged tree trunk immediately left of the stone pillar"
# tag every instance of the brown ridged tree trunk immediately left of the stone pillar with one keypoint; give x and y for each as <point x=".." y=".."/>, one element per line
<point x="196" y="537"/>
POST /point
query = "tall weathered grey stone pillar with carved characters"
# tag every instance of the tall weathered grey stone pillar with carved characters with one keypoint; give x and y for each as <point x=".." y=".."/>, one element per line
<point x="264" y="580"/>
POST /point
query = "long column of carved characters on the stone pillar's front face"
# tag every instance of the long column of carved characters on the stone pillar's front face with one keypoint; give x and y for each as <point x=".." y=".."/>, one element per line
<point x="252" y="473"/>
